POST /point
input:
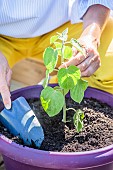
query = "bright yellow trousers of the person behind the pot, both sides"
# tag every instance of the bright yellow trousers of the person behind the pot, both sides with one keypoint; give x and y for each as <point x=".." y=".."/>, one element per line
<point x="16" y="49"/>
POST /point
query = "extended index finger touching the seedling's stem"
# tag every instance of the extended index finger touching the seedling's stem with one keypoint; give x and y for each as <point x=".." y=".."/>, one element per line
<point x="74" y="60"/>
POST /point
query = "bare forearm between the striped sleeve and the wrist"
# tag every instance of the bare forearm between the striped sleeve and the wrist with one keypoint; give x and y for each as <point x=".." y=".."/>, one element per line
<point x="94" y="22"/>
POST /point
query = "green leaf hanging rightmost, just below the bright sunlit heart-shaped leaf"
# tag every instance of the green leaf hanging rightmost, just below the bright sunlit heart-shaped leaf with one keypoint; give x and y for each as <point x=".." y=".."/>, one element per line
<point x="77" y="92"/>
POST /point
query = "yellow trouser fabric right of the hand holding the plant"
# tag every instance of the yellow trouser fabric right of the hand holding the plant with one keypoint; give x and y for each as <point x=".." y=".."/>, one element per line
<point x="103" y="77"/>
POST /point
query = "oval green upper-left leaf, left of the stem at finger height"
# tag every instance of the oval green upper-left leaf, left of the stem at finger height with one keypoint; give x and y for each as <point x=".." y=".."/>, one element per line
<point x="50" y="58"/>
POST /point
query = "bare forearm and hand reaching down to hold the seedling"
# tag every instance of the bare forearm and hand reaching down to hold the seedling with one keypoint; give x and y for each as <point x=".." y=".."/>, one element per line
<point x="94" y="21"/>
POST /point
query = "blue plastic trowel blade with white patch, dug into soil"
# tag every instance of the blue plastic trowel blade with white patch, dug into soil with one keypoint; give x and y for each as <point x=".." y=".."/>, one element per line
<point x="21" y="121"/>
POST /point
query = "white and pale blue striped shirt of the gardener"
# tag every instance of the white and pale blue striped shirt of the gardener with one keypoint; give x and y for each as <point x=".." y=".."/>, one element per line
<point x="30" y="18"/>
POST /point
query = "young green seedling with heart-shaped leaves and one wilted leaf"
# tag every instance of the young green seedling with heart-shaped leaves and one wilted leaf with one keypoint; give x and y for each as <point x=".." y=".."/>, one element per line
<point x="69" y="79"/>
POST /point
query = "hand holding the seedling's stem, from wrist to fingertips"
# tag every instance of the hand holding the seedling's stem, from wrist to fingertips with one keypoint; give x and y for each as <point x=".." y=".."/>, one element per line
<point x="90" y="61"/>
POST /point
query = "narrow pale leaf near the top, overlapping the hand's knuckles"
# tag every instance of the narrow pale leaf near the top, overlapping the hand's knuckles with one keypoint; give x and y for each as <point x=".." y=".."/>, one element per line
<point x="76" y="44"/>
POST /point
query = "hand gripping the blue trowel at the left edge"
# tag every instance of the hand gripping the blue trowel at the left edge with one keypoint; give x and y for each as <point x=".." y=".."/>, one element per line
<point x="5" y="77"/>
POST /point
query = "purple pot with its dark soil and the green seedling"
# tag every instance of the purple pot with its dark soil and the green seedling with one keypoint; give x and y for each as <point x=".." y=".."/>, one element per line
<point x="84" y="151"/>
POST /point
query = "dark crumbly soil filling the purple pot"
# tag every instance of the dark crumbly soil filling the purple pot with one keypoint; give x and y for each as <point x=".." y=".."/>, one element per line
<point x="97" y="131"/>
